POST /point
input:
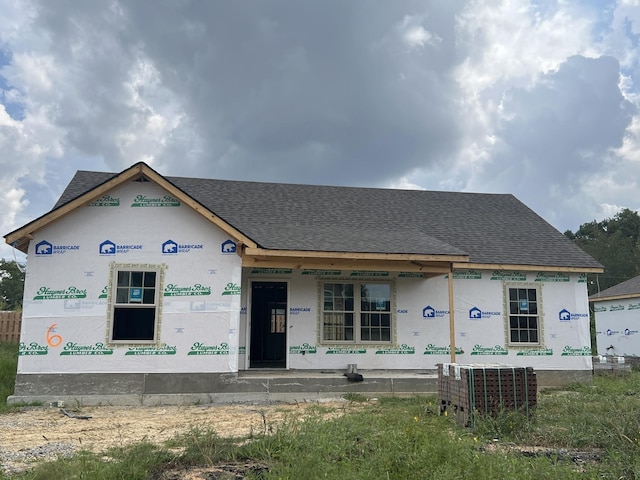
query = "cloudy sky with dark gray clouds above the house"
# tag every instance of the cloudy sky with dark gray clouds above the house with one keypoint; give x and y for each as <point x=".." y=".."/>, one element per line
<point x="537" y="98"/>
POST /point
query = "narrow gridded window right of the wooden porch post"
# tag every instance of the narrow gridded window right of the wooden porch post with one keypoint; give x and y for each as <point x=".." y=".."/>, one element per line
<point x="524" y="320"/>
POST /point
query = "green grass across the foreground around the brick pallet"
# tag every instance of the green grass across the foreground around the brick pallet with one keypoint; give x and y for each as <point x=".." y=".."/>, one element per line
<point x="394" y="439"/>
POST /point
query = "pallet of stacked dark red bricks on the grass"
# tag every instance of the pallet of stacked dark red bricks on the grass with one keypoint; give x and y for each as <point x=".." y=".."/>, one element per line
<point x="465" y="390"/>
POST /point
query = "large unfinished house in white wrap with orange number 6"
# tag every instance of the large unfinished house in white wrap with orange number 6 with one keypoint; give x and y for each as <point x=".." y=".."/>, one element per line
<point x="153" y="287"/>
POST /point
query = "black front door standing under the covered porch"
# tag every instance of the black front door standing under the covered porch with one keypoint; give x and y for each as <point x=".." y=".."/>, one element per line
<point x="268" y="325"/>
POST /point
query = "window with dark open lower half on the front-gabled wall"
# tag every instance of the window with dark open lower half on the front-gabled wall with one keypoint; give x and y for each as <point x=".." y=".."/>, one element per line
<point x="134" y="301"/>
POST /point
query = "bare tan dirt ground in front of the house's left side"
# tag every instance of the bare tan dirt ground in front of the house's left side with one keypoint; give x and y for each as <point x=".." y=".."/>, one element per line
<point x="44" y="433"/>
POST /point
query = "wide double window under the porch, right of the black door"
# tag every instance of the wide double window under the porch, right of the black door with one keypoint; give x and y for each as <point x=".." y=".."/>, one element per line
<point x="356" y="312"/>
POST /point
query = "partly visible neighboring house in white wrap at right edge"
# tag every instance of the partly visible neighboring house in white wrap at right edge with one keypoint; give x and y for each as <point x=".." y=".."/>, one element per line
<point x="617" y="314"/>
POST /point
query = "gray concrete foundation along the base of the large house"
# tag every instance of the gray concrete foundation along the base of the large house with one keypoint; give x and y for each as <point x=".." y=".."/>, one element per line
<point x="242" y="387"/>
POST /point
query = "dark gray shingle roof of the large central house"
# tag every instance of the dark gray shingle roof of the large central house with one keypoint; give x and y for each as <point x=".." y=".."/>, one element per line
<point x="490" y="228"/>
